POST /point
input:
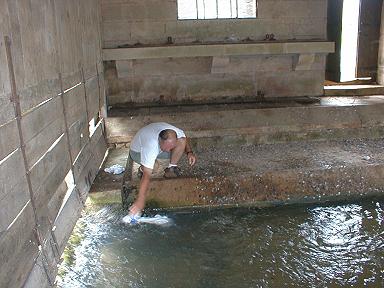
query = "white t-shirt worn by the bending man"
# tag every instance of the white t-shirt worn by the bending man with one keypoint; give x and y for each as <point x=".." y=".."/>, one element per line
<point x="146" y="142"/>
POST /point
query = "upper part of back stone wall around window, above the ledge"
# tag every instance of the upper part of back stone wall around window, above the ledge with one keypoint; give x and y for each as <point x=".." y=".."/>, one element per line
<point x="128" y="23"/>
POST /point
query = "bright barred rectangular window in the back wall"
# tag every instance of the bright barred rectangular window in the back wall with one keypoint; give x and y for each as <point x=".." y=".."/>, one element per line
<point x="216" y="9"/>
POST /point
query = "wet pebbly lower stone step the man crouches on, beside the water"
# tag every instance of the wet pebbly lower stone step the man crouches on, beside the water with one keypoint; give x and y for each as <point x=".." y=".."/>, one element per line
<point x="269" y="174"/>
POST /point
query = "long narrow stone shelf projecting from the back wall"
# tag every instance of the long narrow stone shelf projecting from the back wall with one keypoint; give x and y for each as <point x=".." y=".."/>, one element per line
<point x="224" y="49"/>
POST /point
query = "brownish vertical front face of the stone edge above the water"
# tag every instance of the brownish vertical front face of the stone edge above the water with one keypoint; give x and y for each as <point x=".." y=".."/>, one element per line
<point x="272" y="188"/>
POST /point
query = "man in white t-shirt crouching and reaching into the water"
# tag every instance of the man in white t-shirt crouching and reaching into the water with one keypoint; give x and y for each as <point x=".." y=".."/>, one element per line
<point x="157" y="140"/>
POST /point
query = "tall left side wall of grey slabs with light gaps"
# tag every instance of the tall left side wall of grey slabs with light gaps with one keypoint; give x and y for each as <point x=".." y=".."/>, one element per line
<point x="51" y="130"/>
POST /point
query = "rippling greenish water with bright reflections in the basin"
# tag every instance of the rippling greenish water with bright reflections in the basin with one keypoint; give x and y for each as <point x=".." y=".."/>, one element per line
<point x="297" y="246"/>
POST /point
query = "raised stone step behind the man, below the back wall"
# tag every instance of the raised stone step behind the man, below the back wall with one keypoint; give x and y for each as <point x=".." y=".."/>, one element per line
<point x="215" y="125"/>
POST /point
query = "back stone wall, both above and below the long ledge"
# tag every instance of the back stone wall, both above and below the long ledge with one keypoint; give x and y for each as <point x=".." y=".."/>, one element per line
<point x="208" y="79"/>
